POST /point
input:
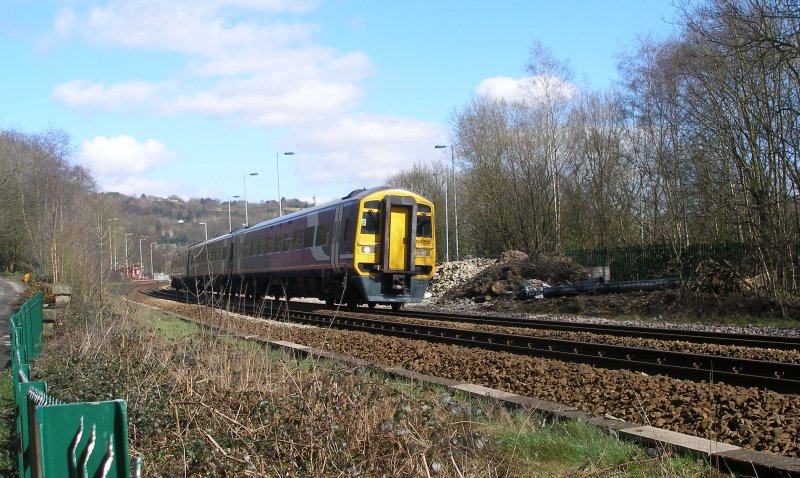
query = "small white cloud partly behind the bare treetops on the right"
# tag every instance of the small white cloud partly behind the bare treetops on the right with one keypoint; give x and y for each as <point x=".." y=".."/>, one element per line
<point x="531" y="89"/>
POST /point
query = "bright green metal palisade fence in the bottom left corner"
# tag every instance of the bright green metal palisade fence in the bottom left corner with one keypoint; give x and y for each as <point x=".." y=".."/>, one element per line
<point x="58" y="439"/>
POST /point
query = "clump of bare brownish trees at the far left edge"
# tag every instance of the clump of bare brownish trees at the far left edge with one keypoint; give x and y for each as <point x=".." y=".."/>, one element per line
<point x="52" y="221"/>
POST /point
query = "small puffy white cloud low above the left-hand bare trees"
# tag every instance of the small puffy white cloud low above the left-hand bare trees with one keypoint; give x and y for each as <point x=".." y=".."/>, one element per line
<point x="122" y="156"/>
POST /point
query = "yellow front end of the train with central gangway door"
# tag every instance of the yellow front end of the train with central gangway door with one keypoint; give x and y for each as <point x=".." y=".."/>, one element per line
<point x="395" y="255"/>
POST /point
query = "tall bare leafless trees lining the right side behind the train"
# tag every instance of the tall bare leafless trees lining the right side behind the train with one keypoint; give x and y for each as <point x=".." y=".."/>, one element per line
<point x="698" y="142"/>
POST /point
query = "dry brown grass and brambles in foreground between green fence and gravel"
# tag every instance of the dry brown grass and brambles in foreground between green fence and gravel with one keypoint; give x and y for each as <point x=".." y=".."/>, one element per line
<point x="200" y="404"/>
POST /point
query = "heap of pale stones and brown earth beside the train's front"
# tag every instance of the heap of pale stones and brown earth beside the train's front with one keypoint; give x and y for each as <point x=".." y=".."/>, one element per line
<point x="484" y="280"/>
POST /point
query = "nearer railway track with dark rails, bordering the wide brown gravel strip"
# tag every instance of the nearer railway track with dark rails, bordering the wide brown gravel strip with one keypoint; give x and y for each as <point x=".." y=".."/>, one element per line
<point x="775" y="376"/>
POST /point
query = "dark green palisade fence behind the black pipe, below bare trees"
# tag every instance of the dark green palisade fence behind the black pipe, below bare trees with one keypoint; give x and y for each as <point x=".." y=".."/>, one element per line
<point x="662" y="260"/>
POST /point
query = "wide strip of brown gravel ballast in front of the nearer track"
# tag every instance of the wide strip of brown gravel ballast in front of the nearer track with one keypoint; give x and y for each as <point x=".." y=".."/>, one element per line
<point x="747" y="417"/>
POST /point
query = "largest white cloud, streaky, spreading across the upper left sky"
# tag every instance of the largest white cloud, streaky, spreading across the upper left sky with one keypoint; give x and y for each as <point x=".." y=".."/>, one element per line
<point x="240" y="61"/>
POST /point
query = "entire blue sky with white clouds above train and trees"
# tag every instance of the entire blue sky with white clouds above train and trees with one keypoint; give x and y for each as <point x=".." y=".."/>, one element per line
<point x="190" y="97"/>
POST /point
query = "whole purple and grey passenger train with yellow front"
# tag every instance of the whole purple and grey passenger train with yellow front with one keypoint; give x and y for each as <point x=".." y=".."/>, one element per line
<point x="371" y="247"/>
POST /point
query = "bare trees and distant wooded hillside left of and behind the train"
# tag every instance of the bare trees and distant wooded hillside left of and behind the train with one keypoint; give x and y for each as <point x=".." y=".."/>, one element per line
<point x="57" y="225"/>
